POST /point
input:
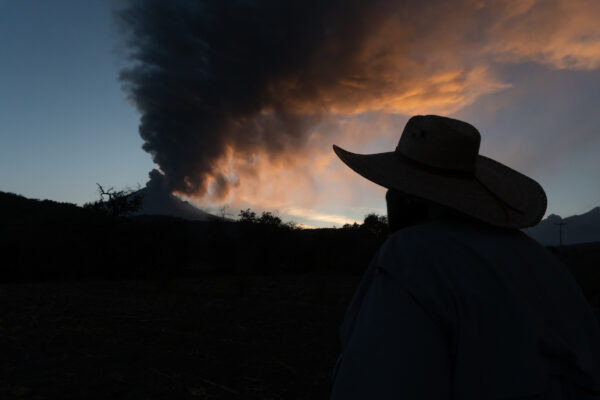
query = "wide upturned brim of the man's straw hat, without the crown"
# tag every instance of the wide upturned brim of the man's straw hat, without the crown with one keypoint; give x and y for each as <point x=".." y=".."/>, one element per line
<point x="525" y="197"/>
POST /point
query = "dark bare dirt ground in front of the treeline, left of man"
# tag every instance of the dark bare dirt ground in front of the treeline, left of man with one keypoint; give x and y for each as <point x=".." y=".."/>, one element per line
<point x="201" y="338"/>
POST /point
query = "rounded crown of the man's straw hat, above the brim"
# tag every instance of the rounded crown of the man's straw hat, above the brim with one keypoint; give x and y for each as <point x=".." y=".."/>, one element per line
<point x="440" y="142"/>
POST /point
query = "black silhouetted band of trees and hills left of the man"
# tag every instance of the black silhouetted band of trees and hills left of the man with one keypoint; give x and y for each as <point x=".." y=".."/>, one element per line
<point x="47" y="240"/>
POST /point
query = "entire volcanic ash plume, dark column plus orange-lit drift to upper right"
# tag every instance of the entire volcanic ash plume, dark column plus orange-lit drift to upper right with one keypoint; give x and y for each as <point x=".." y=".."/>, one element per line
<point x="230" y="89"/>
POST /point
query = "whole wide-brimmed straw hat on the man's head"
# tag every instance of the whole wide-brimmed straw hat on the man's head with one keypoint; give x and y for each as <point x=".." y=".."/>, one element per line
<point x="437" y="159"/>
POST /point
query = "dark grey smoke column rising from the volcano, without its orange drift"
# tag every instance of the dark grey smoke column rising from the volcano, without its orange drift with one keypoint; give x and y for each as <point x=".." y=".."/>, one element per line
<point x="213" y="76"/>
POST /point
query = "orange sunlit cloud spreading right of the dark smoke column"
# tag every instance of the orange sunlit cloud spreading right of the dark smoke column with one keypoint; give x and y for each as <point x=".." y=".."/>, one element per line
<point x="416" y="61"/>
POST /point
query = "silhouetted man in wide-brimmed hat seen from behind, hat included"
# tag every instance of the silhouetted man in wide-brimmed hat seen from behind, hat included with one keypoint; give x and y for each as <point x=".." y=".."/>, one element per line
<point x="458" y="303"/>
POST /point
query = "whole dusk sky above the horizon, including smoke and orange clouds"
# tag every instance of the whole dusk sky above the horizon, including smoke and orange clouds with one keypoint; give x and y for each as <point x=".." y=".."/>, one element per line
<point x="242" y="104"/>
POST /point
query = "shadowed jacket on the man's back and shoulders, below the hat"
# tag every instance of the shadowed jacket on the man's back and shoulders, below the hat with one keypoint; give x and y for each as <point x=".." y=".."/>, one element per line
<point x="454" y="310"/>
